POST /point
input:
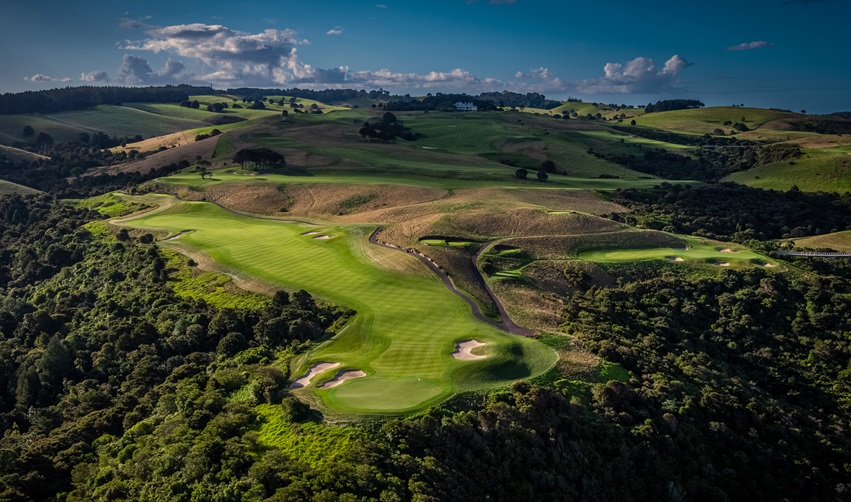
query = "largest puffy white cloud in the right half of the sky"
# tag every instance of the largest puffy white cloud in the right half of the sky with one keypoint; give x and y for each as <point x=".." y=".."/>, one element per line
<point x="639" y="75"/>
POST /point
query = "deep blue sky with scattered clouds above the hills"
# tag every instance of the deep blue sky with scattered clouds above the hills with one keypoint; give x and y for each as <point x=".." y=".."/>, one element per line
<point x="790" y="54"/>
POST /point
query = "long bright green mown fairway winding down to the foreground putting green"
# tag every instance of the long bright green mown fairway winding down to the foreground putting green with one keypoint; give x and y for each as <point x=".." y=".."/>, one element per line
<point x="406" y="326"/>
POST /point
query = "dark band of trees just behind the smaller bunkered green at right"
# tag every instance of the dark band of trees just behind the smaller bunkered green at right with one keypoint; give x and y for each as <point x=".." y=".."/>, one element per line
<point x="729" y="211"/>
